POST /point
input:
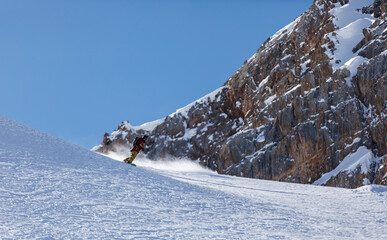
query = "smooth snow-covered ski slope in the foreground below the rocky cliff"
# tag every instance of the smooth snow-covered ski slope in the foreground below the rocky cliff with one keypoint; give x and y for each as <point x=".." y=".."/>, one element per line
<point x="51" y="189"/>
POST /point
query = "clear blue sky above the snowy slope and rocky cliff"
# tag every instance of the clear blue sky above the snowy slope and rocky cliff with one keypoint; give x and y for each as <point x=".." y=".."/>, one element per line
<point x="77" y="68"/>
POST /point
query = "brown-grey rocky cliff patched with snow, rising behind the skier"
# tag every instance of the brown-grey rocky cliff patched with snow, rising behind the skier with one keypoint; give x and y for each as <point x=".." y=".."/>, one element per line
<point x="309" y="107"/>
